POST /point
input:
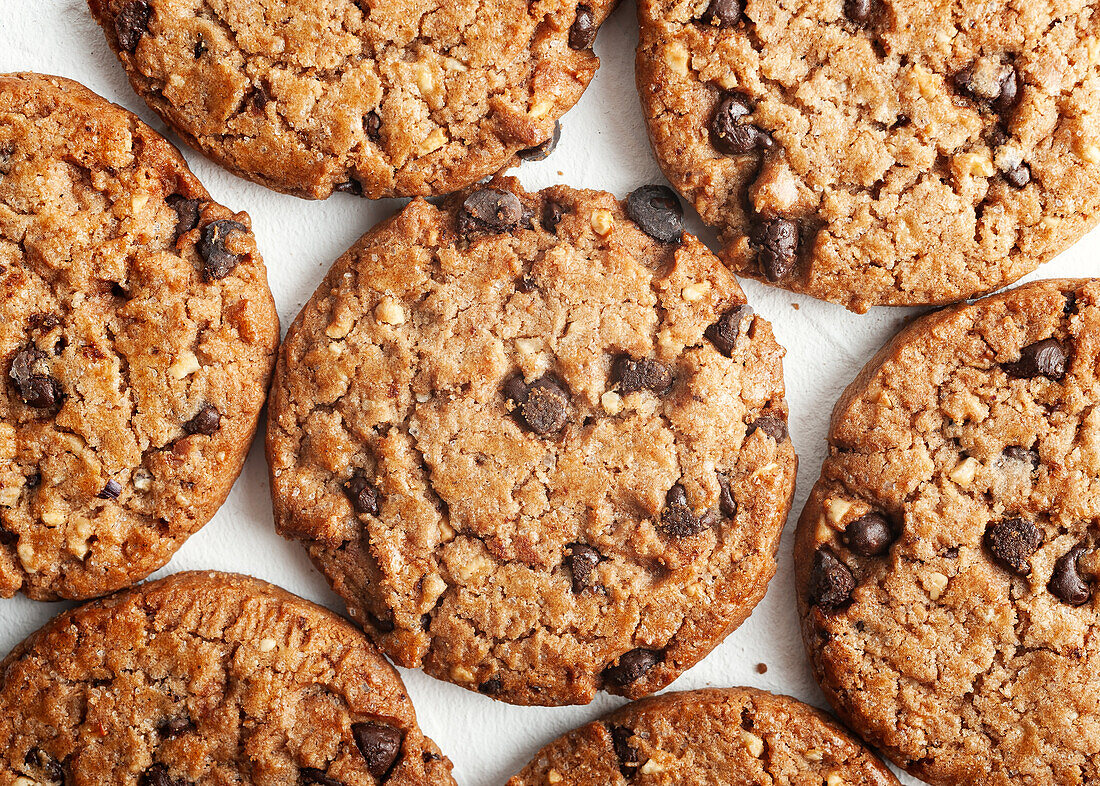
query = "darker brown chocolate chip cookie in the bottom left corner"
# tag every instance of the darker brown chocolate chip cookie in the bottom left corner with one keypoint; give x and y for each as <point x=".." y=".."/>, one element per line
<point x="207" y="679"/>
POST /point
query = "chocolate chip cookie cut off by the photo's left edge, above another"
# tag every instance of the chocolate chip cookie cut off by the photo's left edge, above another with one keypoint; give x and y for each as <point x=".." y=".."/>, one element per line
<point x="137" y="339"/>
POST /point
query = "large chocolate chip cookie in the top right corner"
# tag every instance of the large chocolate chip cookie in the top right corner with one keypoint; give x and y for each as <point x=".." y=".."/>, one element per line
<point x="879" y="152"/>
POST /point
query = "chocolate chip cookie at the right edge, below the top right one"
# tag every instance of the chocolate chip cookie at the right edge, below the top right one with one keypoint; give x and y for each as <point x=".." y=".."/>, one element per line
<point x="948" y="559"/>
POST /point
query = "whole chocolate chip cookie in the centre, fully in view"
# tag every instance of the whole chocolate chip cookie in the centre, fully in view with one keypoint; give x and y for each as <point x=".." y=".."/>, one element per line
<point x="537" y="451"/>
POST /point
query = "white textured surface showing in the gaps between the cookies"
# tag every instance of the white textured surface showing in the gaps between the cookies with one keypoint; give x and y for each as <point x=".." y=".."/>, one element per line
<point x="603" y="146"/>
